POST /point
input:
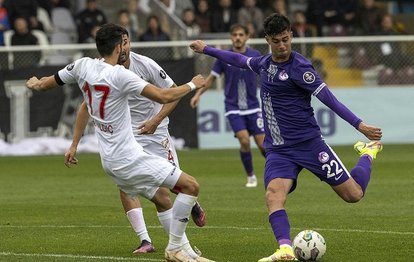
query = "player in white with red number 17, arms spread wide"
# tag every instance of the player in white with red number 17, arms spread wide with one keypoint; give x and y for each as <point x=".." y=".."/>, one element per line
<point x="106" y="87"/>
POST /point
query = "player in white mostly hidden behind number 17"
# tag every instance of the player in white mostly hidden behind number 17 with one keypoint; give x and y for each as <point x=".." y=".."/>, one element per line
<point x="148" y="117"/>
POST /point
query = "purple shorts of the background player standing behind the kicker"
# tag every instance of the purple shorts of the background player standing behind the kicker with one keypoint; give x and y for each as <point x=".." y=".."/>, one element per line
<point x="253" y="123"/>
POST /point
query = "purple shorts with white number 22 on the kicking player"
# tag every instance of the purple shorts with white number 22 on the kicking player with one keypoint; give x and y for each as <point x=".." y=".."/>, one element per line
<point x="314" y="155"/>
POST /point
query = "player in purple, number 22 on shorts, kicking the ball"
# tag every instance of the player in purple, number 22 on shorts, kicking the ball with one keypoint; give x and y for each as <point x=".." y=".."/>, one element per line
<point x="293" y="139"/>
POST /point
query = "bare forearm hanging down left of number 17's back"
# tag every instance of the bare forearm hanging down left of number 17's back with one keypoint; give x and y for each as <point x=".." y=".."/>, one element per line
<point x="82" y="119"/>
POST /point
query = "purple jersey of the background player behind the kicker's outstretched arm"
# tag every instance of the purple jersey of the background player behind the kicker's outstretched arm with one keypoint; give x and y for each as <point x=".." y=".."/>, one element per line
<point x="240" y="86"/>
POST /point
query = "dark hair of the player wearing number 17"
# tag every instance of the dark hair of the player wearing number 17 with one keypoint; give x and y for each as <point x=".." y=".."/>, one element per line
<point x="107" y="37"/>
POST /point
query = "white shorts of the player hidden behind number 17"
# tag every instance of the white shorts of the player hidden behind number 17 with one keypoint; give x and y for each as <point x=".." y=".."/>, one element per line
<point x="160" y="145"/>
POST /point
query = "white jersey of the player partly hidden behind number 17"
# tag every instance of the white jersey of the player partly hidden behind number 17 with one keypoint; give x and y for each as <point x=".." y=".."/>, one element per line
<point x="142" y="108"/>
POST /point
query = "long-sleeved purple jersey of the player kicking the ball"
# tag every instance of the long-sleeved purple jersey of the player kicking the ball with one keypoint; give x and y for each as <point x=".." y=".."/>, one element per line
<point x="286" y="90"/>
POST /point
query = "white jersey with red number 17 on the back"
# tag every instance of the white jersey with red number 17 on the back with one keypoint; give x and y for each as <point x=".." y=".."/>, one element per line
<point x="106" y="89"/>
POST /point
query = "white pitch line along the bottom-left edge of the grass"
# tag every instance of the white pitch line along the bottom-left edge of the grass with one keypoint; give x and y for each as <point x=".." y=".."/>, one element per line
<point x="78" y="256"/>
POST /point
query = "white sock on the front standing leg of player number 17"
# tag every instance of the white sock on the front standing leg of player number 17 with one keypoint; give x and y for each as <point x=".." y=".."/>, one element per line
<point x="180" y="216"/>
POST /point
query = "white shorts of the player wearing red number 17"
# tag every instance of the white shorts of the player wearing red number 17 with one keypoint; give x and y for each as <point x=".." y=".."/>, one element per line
<point x="142" y="174"/>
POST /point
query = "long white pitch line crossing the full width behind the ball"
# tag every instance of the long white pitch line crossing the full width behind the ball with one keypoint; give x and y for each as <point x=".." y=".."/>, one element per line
<point x="220" y="228"/>
